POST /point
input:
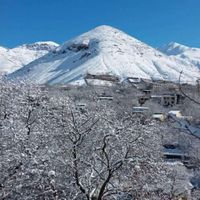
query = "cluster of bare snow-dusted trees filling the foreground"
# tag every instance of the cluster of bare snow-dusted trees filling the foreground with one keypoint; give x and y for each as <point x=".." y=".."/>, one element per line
<point x="50" y="149"/>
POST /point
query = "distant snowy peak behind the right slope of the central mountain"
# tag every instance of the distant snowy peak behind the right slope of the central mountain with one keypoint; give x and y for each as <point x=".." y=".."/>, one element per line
<point x="176" y="50"/>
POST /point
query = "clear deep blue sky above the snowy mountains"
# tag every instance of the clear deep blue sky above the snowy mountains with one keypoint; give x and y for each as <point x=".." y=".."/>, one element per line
<point x="155" y="22"/>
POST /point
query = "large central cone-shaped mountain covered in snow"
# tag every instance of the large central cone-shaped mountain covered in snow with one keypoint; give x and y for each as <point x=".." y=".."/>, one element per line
<point x="105" y="50"/>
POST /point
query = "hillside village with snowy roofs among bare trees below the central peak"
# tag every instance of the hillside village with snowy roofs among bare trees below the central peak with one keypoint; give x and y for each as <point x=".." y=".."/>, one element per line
<point x="163" y="101"/>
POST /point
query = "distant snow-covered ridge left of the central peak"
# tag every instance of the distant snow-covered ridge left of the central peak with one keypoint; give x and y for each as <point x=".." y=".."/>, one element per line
<point x="15" y="58"/>
